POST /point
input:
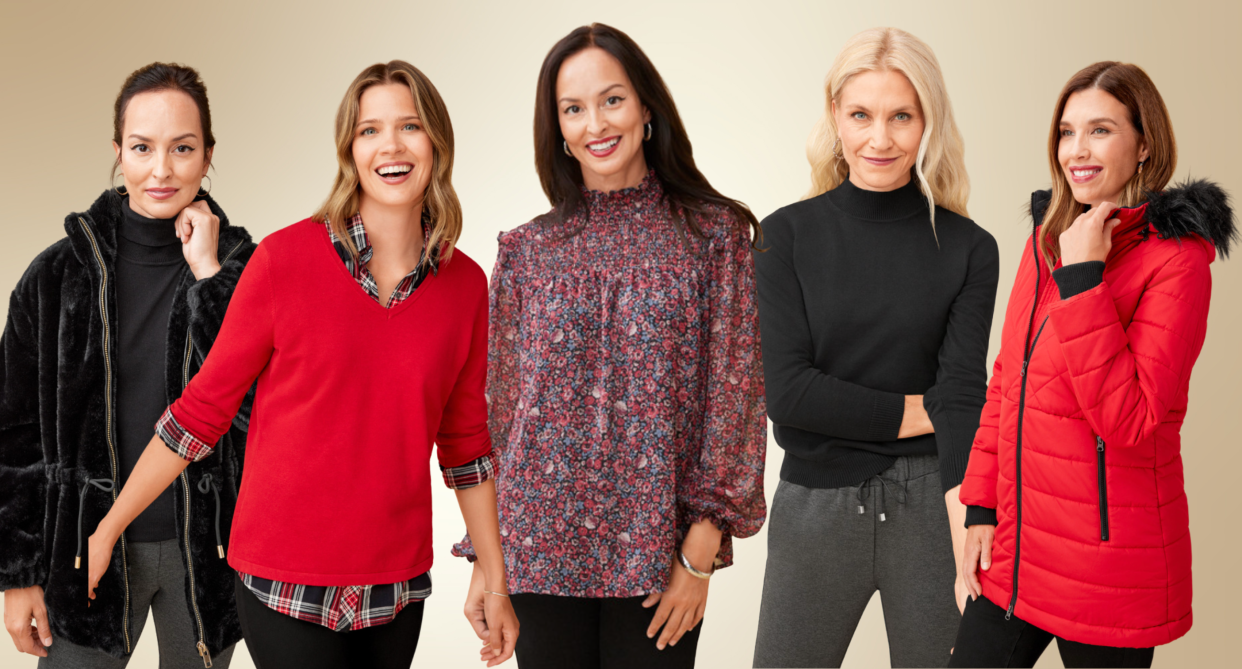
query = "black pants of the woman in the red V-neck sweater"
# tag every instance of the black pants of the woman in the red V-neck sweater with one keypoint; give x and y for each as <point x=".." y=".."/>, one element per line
<point x="278" y="641"/>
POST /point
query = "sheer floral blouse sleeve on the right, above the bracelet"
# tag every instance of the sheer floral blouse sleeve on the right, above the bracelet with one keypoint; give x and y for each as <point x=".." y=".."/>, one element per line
<point x="727" y="486"/>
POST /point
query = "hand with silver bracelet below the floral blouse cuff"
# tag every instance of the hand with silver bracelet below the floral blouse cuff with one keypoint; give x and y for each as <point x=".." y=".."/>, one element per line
<point x="682" y="605"/>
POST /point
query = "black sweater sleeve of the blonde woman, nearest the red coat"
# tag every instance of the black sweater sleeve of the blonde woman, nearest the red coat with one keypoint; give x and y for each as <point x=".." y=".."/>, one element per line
<point x="957" y="399"/>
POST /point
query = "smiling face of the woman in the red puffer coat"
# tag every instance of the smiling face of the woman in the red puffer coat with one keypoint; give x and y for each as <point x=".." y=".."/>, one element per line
<point x="1100" y="148"/>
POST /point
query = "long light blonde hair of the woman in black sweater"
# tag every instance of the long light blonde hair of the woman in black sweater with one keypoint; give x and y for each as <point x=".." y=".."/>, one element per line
<point x="941" y="166"/>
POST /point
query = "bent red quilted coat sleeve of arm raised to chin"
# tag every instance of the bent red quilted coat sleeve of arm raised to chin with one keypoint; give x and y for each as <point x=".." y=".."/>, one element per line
<point x="1128" y="378"/>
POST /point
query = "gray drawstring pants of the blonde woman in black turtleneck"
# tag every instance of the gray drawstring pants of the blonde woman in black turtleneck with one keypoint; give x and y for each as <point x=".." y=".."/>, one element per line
<point x="827" y="559"/>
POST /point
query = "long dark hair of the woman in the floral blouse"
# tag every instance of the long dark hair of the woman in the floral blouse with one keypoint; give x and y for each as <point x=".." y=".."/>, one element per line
<point x="669" y="152"/>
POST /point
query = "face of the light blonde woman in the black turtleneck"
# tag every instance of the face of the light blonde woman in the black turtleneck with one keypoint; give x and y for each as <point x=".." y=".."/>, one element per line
<point x="880" y="122"/>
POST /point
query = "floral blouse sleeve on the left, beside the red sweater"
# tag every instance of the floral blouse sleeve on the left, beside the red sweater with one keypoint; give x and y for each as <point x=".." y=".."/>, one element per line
<point x="504" y="384"/>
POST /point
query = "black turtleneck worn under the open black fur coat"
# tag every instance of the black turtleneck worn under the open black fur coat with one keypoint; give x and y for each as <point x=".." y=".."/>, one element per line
<point x="150" y="265"/>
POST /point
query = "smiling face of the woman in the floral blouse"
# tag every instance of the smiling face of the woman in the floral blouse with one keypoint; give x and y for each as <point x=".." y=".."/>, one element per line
<point x="602" y="120"/>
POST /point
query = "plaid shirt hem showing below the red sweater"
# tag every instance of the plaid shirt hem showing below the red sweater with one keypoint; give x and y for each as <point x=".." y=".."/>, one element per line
<point x="341" y="609"/>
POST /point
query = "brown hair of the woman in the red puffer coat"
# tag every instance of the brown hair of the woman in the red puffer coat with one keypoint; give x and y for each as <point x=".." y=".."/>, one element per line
<point x="1149" y="116"/>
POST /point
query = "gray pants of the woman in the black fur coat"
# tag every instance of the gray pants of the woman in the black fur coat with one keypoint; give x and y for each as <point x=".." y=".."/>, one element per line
<point x="157" y="583"/>
